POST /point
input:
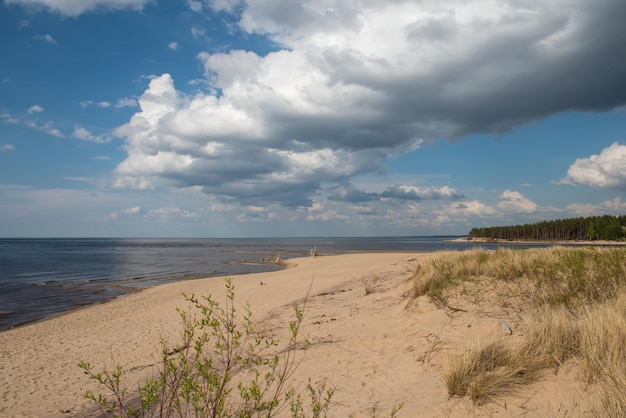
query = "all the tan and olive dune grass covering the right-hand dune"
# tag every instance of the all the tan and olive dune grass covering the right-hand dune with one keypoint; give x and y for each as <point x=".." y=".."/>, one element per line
<point x="577" y="303"/>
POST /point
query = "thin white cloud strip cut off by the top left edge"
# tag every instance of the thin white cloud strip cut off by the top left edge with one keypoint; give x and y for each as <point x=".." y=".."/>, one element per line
<point x="77" y="7"/>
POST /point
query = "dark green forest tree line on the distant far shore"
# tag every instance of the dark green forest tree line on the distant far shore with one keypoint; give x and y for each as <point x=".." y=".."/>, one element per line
<point x="605" y="227"/>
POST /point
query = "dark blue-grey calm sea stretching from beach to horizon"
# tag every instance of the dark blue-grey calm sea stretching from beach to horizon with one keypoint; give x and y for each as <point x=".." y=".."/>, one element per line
<point x="40" y="278"/>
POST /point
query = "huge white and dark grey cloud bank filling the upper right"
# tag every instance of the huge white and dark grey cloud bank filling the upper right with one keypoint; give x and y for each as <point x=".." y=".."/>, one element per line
<point x="354" y="84"/>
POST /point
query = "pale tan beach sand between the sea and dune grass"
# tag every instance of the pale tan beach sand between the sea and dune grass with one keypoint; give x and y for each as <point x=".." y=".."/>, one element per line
<point x="372" y="347"/>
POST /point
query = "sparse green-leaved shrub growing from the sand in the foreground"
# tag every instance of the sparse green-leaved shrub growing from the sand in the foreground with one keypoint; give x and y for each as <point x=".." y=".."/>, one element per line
<point x="222" y="367"/>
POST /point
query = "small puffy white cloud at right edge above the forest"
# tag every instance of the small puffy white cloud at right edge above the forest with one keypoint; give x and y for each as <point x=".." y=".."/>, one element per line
<point x="604" y="171"/>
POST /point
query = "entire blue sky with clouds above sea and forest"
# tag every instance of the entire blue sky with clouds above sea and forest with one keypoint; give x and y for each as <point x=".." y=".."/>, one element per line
<point x="278" y="118"/>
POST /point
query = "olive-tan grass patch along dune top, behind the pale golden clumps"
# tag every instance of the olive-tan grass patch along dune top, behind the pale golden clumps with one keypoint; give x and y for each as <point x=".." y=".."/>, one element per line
<point x="560" y="276"/>
